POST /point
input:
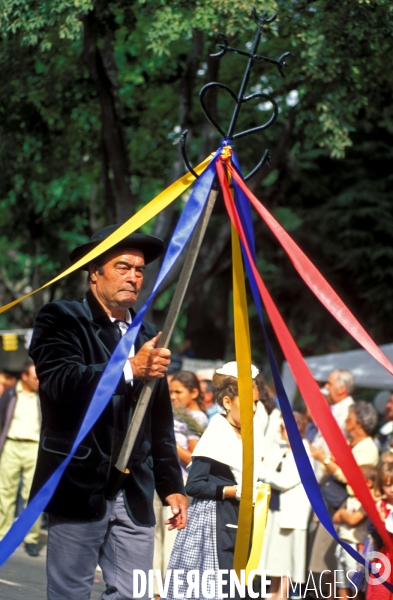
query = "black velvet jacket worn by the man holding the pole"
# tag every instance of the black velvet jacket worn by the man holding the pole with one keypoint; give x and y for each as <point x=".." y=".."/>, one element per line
<point x="71" y="345"/>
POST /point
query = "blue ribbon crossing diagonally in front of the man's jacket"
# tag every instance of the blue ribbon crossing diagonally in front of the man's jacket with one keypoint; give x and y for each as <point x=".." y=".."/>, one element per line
<point x="113" y="371"/>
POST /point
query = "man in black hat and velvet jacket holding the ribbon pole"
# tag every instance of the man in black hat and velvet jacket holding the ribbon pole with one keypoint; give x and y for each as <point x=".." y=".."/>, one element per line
<point x="71" y="345"/>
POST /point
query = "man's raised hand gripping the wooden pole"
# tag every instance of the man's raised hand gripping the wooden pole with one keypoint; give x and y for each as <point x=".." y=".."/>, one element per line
<point x="150" y="362"/>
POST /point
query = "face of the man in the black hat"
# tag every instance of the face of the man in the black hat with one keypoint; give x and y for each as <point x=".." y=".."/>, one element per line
<point x="118" y="281"/>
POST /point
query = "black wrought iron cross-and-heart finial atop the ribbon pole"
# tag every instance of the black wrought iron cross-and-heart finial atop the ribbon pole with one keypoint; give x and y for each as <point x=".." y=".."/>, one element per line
<point x="241" y="98"/>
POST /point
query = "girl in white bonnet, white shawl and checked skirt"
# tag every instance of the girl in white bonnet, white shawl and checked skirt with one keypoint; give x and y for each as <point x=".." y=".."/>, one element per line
<point x="215" y="483"/>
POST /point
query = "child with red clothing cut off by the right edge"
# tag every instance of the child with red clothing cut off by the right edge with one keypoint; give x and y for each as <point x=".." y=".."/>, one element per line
<point x="384" y="490"/>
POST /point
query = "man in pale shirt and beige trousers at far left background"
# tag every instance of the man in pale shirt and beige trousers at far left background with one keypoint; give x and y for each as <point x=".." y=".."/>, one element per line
<point x="20" y="421"/>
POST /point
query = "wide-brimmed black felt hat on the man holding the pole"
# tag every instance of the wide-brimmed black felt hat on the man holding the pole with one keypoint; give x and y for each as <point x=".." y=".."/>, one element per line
<point x="151" y="246"/>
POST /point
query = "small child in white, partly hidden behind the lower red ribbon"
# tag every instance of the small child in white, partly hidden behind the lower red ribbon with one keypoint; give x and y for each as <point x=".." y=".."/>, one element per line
<point x="351" y="526"/>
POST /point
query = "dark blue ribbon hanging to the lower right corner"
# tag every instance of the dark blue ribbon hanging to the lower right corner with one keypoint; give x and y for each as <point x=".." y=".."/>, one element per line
<point x="301" y="457"/>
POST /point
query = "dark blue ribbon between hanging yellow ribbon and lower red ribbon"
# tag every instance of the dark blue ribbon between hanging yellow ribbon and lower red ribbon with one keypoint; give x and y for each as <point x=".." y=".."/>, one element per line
<point x="302" y="460"/>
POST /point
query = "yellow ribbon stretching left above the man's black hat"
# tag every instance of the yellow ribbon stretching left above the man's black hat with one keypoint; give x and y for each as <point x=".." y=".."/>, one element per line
<point x="149" y="211"/>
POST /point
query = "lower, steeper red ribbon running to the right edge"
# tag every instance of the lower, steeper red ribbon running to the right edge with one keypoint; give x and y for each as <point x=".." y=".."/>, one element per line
<point x="308" y="386"/>
